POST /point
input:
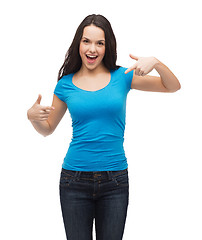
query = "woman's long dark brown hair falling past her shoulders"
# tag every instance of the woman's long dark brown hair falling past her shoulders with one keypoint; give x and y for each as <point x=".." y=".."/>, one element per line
<point x="73" y="60"/>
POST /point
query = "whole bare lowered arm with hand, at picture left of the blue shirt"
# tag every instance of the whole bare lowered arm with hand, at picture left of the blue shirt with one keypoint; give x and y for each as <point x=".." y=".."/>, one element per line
<point x="46" y="119"/>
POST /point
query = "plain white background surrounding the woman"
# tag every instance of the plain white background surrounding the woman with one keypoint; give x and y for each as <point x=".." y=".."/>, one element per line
<point x="163" y="130"/>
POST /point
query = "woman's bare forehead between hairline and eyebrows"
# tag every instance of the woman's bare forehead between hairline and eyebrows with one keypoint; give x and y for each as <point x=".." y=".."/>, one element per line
<point x="94" y="33"/>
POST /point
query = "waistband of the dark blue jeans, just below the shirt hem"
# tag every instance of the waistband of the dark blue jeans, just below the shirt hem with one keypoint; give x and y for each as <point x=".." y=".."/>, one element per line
<point x="94" y="175"/>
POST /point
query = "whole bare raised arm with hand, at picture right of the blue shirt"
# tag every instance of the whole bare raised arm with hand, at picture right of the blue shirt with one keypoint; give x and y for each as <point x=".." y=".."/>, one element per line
<point x="167" y="82"/>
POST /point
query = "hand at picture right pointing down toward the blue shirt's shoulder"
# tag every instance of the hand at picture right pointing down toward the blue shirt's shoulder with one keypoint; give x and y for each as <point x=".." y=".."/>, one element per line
<point x="143" y="66"/>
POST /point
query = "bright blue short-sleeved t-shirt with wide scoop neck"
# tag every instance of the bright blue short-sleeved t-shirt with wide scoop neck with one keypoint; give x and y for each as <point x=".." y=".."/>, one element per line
<point x="98" y="122"/>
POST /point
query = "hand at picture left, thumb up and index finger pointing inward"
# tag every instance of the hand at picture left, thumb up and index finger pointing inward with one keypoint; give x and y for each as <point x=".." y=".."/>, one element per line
<point x="38" y="112"/>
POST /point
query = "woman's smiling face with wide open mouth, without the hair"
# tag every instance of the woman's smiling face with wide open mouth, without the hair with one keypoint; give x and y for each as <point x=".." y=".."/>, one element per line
<point x="92" y="47"/>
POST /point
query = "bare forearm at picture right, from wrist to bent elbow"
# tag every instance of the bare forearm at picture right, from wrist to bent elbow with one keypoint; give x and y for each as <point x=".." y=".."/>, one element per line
<point x="169" y="80"/>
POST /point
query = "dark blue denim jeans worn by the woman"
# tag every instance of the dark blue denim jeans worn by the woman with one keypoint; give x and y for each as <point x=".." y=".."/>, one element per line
<point x="86" y="196"/>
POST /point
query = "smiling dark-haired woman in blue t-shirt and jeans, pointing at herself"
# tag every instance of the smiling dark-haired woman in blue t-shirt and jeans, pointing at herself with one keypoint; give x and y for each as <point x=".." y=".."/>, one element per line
<point x="94" y="176"/>
